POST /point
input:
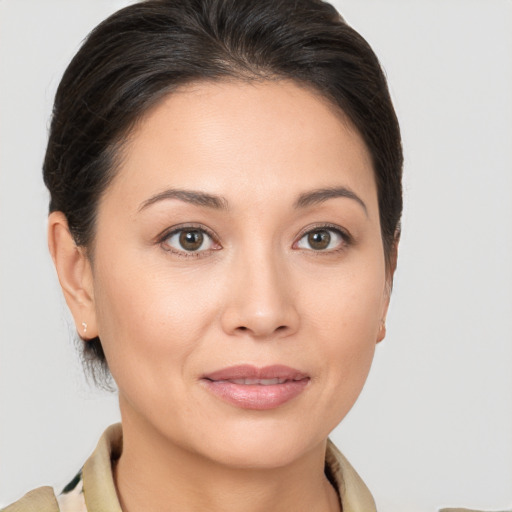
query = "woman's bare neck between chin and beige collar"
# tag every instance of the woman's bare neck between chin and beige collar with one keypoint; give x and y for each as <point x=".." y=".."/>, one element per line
<point x="155" y="474"/>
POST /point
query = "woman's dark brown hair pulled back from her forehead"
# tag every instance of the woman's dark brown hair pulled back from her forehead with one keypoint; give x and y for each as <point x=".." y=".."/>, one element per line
<point x="146" y="50"/>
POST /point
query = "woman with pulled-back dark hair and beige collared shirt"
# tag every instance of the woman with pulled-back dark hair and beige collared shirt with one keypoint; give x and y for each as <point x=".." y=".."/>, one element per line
<point x="225" y="181"/>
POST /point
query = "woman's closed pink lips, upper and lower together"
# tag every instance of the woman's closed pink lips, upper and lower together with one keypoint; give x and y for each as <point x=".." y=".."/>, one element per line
<point x="249" y="387"/>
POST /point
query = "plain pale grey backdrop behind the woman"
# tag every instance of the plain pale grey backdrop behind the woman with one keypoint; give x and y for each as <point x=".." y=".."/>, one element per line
<point x="433" y="426"/>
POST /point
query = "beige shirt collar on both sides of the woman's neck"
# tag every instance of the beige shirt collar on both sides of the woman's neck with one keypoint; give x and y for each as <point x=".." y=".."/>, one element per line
<point x="100" y="492"/>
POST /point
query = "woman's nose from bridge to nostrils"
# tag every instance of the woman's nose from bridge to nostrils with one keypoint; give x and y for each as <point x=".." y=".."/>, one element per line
<point x="261" y="302"/>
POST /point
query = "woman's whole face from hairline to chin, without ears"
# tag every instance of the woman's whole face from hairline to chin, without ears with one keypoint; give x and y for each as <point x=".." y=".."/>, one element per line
<point x="238" y="279"/>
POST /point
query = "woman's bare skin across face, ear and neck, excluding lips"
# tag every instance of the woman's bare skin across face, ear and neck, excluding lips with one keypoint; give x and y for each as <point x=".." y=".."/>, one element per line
<point x="257" y="294"/>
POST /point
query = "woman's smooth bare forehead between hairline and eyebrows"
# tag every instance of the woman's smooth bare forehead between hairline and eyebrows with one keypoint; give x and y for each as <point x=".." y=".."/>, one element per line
<point x="270" y="137"/>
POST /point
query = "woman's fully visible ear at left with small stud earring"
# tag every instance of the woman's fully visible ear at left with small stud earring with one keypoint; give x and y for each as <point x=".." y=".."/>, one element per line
<point x="75" y="275"/>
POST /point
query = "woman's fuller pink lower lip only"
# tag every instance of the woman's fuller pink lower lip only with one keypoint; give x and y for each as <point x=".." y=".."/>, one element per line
<point x="257" y="396"/>
